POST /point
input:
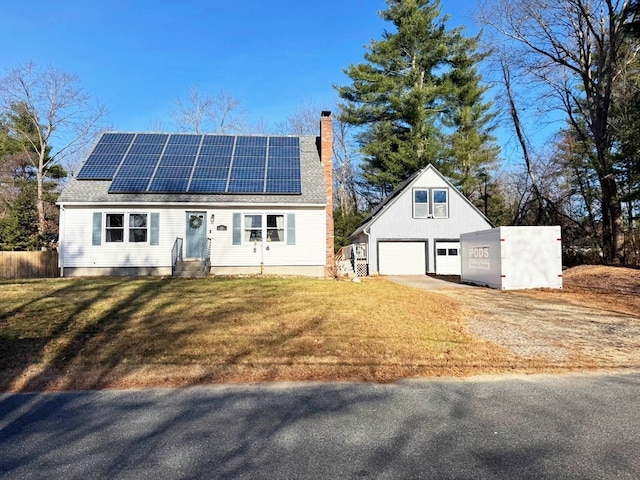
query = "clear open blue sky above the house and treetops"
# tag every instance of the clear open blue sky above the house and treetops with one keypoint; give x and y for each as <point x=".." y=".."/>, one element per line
<point x="138" y="56"/>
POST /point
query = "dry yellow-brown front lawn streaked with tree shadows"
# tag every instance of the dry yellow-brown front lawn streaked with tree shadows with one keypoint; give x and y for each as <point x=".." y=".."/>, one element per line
<point x="117" y="332"/>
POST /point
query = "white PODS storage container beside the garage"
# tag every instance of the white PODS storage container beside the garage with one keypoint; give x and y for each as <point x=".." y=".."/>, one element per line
<point x="513" y="257"/>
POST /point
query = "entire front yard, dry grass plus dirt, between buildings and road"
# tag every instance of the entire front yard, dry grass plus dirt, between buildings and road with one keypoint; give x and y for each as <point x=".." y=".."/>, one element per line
<point x="123" y="332"/>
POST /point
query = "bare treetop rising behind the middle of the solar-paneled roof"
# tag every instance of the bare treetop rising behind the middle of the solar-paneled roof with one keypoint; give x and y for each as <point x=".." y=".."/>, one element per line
<point x="201" y="112"/>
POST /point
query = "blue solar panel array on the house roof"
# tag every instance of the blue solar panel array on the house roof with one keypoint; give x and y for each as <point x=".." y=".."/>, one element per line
<point x="181" y="163"/>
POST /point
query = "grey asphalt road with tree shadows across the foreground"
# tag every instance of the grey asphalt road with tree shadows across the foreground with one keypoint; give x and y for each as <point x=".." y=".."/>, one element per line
<point x="576" y="426"/>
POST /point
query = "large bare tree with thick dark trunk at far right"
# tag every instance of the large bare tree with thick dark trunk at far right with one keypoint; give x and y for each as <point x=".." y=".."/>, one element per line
<point x="573" y="48"/>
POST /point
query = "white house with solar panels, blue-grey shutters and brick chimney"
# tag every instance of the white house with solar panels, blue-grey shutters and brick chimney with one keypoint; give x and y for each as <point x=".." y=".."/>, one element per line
<point x="239" y="204"/>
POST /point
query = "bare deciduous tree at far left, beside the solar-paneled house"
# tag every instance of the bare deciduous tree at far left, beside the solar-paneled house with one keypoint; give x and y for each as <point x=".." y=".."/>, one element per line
<point x="62" y="116"/>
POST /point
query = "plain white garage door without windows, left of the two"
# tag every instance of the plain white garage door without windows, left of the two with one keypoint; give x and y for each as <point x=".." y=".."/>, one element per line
<point x="402" y="258"/>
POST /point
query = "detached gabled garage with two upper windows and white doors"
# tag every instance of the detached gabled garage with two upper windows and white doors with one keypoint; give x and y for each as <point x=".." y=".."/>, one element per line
<point x="416" y="230"/>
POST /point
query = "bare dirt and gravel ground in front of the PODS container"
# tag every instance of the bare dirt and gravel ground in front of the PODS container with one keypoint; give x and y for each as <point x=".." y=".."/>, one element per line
<point x="594" y="322"/>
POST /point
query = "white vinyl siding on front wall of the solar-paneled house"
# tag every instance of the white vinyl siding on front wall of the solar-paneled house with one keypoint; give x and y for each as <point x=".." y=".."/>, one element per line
<point x="304" y="228"/>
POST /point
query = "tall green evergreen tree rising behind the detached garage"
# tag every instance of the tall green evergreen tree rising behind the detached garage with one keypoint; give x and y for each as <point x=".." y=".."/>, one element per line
<point x="418" y="100"/>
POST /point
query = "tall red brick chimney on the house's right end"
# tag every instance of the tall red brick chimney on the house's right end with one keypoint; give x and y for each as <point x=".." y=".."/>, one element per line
<point x="326" y="158"/>
